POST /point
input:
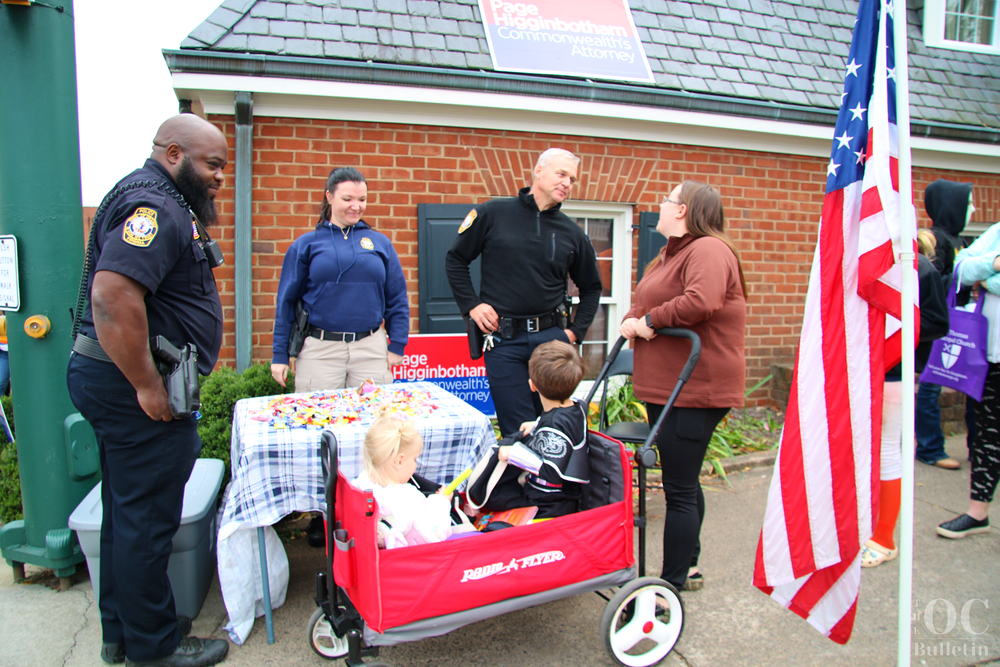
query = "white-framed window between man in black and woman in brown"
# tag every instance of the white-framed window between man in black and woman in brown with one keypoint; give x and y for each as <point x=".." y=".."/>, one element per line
<point x="609" y="227"/>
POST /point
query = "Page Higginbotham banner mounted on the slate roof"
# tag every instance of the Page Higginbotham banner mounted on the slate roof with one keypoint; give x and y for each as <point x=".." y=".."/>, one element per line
<point x="585" y="38"/>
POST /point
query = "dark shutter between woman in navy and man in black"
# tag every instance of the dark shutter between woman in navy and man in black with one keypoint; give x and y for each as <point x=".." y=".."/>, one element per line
<point x="438" y="225"/>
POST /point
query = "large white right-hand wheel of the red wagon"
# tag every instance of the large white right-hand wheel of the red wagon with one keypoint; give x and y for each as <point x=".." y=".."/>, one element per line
<point x="642" y="622"/>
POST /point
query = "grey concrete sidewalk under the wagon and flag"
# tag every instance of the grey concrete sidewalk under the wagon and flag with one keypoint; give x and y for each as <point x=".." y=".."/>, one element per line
<point x="729" y="622"/>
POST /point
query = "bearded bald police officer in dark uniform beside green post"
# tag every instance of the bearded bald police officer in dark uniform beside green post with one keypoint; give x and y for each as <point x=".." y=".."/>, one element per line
<point x="149" y="275"/>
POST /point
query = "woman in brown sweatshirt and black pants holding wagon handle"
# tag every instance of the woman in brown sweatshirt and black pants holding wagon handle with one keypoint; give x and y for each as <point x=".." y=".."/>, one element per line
<point x="695" y="283"/>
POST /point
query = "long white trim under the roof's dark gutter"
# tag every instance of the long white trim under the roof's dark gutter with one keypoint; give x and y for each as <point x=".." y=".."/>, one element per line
<point x="299" y="98"/>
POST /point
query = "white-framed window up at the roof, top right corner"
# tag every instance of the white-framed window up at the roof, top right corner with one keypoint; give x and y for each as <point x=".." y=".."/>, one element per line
<point x="962" y="25"/>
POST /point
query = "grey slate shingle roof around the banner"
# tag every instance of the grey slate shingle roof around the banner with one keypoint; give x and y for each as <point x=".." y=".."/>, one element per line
<point x="784" y="51"/>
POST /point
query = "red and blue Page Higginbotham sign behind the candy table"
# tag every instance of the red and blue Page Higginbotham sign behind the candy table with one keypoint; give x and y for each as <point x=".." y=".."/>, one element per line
<point x="444" y="360"/>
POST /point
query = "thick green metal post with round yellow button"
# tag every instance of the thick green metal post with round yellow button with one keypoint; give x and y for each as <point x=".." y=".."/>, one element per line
<point x="40" y="207"/>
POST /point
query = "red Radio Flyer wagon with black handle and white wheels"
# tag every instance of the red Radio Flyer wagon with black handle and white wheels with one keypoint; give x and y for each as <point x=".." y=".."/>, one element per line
<point x="370" y="597"/>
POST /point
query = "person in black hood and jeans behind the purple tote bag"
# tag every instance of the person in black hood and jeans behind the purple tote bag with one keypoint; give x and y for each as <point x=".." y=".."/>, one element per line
<point x="949" y="205"/>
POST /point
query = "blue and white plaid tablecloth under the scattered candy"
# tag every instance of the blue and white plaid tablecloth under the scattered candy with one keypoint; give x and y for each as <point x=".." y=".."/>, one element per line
<point x="277" y="472"/>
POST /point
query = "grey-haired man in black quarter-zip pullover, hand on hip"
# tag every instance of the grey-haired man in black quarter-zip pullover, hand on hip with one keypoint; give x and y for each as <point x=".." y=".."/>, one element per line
<point x="529" y="247"/>
